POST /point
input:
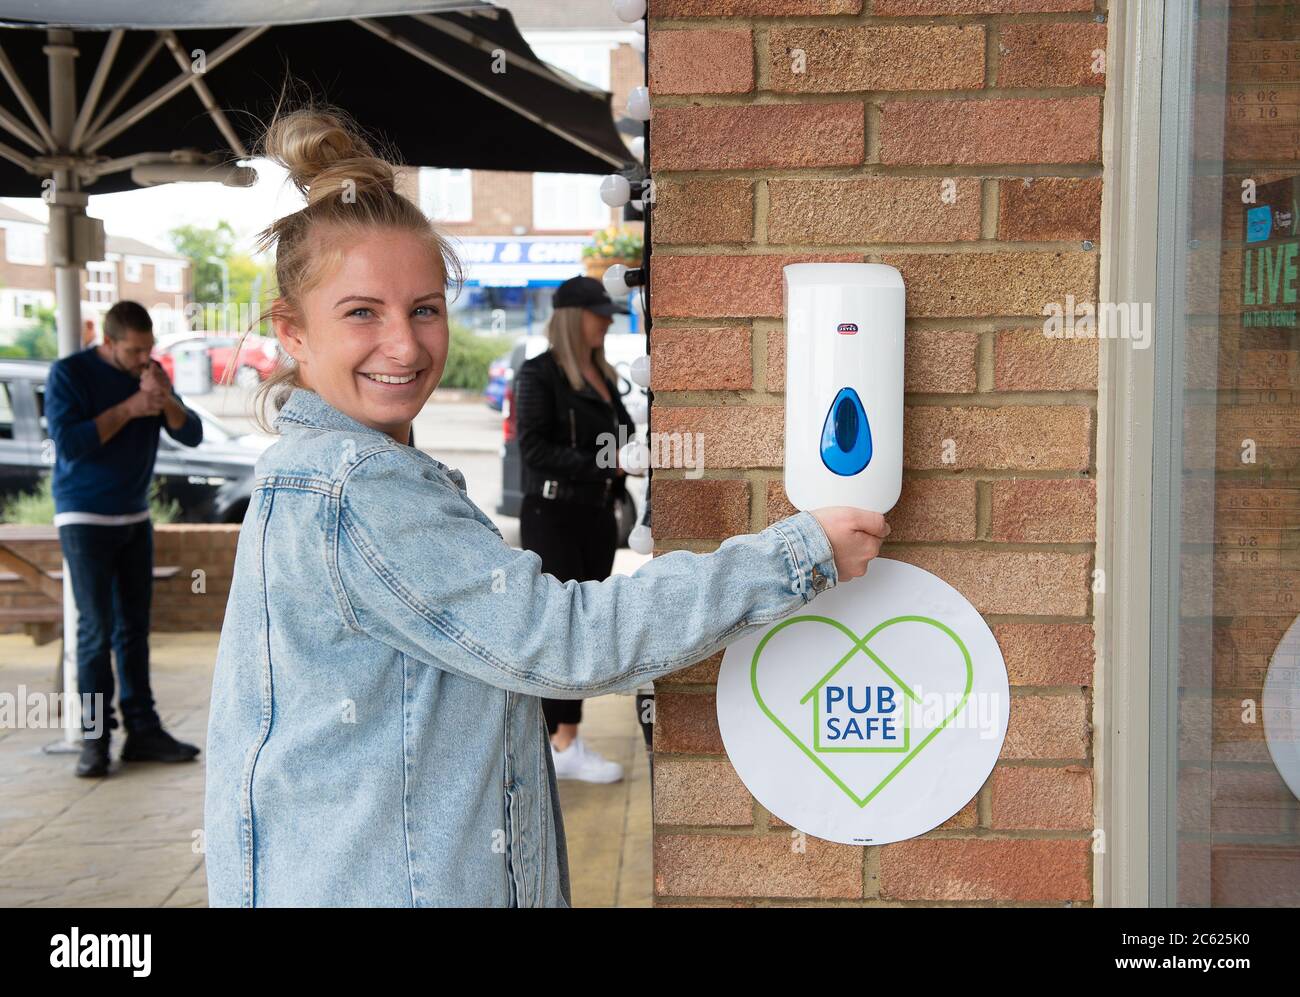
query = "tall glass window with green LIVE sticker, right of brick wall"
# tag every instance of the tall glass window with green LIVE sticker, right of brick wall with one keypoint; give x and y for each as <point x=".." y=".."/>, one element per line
<point x="1227" y="515"/>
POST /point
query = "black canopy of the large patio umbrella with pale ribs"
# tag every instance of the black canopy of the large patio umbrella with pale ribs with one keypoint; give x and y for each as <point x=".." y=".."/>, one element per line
<point x="423" y="77"/>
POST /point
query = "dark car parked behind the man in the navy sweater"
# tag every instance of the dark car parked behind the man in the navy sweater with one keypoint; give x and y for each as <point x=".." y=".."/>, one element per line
<point x="213" y="482"/>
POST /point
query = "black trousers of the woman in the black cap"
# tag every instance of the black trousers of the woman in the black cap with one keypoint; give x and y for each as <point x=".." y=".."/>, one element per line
<point x="577" y="544"/>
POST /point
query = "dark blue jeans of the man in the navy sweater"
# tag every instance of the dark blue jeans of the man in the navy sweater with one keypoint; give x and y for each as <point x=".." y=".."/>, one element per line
<point x="112" y="576"/>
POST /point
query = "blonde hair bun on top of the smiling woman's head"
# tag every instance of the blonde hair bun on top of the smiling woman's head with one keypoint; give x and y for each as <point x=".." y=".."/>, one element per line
<point x="327" y="155"/>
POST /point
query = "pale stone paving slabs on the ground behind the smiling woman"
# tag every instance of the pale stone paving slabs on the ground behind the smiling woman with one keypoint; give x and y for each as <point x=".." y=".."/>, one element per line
<point x="132" y="839"/>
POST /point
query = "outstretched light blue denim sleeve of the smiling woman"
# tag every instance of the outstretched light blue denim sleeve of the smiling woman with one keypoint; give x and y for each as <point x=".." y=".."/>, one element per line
<point x="415" y="567"/>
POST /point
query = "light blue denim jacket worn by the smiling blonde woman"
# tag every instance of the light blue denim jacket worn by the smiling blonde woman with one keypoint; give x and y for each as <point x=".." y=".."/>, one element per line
<point x="376" y="734"/>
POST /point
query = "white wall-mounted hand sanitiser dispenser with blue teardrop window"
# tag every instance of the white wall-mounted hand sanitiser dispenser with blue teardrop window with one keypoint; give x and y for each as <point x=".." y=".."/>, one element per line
<point x="844" y="339"/>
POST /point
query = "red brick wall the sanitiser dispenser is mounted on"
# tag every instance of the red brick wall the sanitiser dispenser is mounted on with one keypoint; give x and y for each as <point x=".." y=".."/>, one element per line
<point x="759" y="166"/>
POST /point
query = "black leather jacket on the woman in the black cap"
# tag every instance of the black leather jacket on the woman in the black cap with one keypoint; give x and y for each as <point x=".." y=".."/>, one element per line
<point x="561" y="430"/>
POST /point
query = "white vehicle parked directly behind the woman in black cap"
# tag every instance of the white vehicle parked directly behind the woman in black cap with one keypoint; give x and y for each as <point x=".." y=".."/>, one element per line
<point x="621" y="350"/>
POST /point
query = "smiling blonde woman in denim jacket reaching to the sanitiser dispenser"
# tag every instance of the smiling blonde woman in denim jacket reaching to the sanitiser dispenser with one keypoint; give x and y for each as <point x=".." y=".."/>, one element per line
<point x="376" y="734"/>
